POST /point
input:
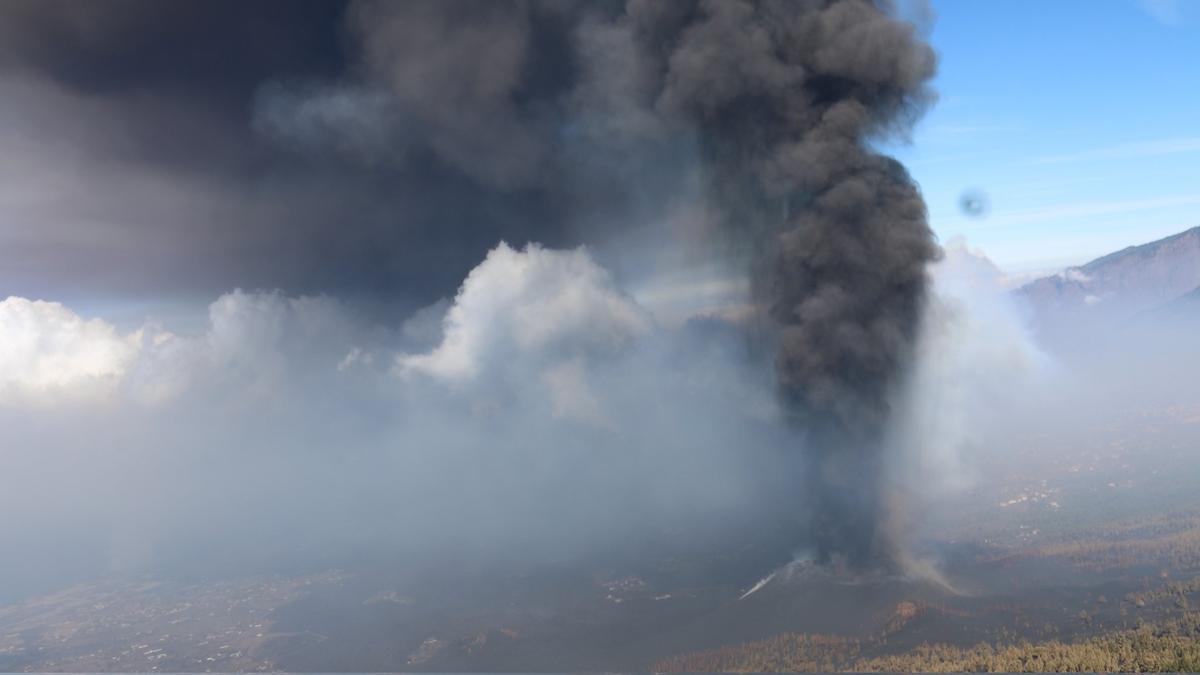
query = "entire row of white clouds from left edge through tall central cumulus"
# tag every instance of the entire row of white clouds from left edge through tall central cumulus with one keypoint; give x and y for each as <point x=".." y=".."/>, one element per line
<point x="531" y="315"/>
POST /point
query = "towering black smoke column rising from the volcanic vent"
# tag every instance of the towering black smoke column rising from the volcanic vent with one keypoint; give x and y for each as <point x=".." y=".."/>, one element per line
<point x="788" y="97"/>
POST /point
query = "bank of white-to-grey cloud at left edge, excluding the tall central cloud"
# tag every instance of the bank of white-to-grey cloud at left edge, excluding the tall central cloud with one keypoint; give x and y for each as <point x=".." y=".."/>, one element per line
<point x="253" y="345"/>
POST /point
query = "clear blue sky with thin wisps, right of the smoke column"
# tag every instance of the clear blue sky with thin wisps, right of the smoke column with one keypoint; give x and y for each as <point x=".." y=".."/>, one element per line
<point x="1081" y="122"/>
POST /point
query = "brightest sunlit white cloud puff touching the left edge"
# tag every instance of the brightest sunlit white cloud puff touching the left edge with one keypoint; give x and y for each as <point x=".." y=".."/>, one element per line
<point x="47" y="351"/>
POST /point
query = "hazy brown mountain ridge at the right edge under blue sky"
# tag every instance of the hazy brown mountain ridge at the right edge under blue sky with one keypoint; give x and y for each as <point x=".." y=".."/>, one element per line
<point x="1123" y="284"/>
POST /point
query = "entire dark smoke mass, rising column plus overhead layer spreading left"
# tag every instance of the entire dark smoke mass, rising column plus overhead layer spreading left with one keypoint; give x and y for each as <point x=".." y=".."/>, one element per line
<point x="379" y="151"/>
